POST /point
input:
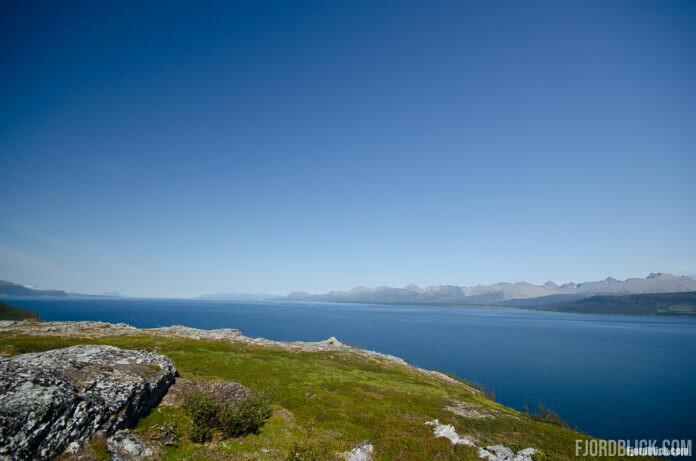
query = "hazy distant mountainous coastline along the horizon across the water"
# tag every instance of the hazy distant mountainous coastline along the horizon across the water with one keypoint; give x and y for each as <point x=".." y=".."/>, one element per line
<point x="658" y="294"/>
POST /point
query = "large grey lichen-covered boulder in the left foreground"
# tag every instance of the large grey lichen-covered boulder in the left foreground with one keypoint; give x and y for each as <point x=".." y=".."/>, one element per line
<point x="50" y="399"/>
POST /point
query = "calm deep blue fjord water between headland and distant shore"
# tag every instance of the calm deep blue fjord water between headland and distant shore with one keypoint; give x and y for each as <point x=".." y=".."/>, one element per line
<point x="613" y="377"/>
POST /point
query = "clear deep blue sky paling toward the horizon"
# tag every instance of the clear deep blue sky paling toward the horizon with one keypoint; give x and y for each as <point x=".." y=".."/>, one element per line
<point x="179" y="148"/>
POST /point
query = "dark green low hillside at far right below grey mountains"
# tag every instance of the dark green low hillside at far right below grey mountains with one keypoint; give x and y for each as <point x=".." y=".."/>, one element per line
<point x="673" y="304"/>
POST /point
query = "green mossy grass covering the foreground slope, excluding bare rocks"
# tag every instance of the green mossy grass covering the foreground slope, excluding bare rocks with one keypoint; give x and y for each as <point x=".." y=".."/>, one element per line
<point x="327" y="402"/>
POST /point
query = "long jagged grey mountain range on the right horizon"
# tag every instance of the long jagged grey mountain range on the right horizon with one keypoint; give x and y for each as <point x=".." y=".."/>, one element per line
<point x="512" y="294"/>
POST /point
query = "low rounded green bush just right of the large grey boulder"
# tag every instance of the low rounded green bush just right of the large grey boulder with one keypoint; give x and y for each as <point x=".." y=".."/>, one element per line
<point x="211" y="410"/>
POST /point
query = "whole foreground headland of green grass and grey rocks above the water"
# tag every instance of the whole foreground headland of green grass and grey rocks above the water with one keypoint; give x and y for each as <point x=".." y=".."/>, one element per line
<point x="323" y="400"/>
